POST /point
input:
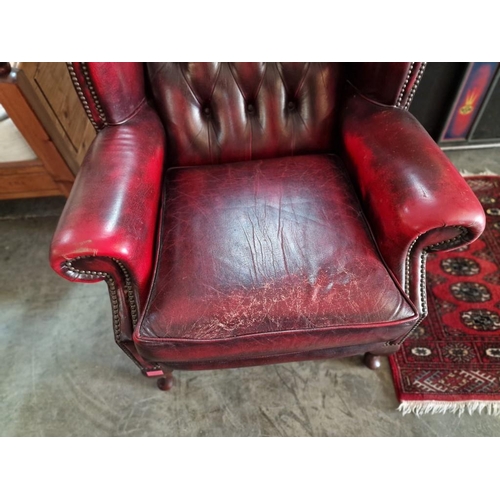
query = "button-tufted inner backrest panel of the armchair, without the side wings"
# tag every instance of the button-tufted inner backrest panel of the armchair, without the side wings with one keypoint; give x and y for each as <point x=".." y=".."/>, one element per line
<point x="225" y="112"/>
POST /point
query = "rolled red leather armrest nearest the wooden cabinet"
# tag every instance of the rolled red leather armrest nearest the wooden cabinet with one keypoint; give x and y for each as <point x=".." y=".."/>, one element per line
<point x="109" y="221"/>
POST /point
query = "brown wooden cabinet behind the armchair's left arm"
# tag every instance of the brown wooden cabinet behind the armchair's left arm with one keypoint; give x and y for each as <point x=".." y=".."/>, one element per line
<point x="45" y="132"/>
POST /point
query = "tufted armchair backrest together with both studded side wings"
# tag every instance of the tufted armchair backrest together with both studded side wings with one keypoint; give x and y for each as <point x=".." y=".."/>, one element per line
<point x="225" y="112"/>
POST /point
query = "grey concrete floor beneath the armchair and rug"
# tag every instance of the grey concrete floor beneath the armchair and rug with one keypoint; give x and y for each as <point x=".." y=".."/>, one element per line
<point x="62" y="375"/>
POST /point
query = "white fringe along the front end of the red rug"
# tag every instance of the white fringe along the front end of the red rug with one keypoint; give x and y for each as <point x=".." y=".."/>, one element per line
<point x="420" y="408"/>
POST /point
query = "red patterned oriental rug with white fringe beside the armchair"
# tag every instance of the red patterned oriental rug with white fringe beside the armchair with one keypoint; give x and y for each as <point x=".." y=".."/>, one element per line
<point x="452" y="361"/>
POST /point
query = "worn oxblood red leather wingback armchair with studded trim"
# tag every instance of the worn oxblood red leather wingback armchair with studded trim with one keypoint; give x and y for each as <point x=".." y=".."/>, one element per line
<point x="255" y="213"/>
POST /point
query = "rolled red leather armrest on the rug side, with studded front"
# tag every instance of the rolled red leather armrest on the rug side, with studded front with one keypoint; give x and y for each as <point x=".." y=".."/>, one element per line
<point x="414" y="198"/>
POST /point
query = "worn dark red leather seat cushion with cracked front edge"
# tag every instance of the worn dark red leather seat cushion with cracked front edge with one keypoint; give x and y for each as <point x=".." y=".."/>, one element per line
<point x="266" y="257"/>
